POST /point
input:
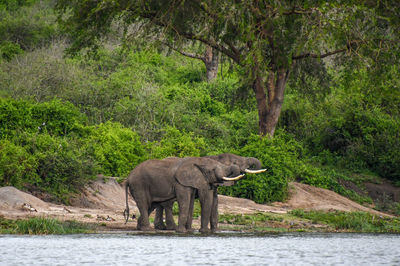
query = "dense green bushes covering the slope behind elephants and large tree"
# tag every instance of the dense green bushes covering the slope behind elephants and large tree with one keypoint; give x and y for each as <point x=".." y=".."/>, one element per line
<point x="65" y="119"/>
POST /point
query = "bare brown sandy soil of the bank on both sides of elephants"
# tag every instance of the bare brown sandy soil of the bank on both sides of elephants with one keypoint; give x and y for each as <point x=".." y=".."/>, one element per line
<point x="103" y="202"/>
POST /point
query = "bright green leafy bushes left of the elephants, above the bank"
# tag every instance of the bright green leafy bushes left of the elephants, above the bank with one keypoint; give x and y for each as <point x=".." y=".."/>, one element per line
<point x="62" y="153"/>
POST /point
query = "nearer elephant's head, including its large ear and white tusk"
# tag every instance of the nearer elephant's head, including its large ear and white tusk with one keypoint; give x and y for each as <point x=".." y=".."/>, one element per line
<point x="203" y="172"/>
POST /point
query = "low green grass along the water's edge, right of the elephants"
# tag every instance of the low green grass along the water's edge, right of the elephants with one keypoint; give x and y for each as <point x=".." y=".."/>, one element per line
<point x="352" y="221"/>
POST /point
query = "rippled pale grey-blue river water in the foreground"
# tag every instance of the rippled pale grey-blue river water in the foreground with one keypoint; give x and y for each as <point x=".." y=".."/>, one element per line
<point x="222" y="249"/>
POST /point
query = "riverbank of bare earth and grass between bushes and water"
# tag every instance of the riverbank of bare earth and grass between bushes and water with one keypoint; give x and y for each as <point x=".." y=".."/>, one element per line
<point x="100" y="206"/>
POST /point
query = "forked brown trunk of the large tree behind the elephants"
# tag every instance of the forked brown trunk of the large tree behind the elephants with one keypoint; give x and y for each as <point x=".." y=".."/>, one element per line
<point x="269" y="112"/>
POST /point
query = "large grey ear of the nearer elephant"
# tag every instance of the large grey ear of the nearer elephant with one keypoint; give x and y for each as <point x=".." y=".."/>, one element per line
<point x="196" y="178"/>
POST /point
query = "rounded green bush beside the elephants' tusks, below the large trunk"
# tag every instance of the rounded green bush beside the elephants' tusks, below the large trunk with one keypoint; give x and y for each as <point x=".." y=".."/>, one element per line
<point x="281" y="156"/>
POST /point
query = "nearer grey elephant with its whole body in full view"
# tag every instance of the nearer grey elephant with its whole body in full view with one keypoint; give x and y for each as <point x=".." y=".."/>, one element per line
<point x="158" y="182"/>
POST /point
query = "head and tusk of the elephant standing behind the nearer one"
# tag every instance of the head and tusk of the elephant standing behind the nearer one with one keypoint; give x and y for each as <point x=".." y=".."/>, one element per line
<point x="246" y="164"/>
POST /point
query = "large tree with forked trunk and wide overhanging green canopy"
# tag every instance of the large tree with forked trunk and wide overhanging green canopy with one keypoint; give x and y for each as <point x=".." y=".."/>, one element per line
<point x="265" y="38"/>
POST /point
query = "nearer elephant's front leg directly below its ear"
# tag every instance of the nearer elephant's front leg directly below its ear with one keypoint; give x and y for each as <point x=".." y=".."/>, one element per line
<point x="183" y="195"/>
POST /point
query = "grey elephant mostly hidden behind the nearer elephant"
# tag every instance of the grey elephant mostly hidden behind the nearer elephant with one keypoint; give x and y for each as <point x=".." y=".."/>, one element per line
<point x="246" y="164"/>
